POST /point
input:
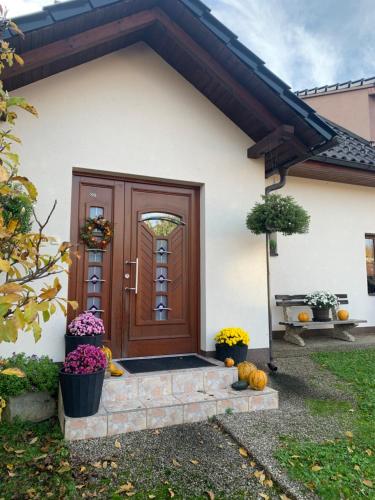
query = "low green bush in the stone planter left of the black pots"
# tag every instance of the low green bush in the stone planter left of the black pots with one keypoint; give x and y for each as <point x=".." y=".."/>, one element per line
<point x="42" y="374"/>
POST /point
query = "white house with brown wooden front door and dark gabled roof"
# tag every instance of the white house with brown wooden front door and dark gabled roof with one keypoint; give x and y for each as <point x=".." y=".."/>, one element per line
<point x="152" y="111"/>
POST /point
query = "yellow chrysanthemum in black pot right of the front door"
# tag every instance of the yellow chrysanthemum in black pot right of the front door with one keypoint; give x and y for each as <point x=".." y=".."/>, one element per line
<point x="232" y="343"/>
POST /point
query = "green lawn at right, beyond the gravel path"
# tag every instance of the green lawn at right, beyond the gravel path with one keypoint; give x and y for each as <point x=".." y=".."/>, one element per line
<point x="343" y="467"/>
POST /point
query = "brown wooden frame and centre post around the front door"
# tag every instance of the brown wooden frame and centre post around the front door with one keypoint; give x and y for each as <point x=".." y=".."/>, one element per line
<point x="122" y="217"/>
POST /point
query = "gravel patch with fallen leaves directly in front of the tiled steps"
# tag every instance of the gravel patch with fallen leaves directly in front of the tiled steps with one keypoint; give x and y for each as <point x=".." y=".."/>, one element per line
<point x="149" y="458"/>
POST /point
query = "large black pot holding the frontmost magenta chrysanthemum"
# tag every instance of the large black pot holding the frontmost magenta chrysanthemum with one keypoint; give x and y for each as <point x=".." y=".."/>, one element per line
<point x="81" y="393"/>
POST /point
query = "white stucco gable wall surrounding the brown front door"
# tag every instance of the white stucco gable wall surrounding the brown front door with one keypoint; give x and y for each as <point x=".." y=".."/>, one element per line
<point x="131" y="113"/>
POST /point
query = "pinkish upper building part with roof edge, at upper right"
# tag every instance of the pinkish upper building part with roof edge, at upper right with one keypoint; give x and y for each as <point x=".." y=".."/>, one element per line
<point x="350" y="104"/>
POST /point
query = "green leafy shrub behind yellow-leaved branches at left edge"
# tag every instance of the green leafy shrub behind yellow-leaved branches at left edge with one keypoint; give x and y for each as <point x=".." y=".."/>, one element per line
<point x="18" y="208"/>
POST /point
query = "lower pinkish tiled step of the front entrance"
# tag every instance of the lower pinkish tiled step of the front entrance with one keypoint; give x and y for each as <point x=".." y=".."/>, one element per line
<point x="122" y="416"/>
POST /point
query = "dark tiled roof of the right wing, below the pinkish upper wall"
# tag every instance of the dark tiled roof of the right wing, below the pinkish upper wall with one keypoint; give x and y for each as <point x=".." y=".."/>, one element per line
<point x="351" y="150"/>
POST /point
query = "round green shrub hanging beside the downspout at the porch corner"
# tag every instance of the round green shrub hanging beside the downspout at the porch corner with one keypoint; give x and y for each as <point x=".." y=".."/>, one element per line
<point x="278" y="214"/>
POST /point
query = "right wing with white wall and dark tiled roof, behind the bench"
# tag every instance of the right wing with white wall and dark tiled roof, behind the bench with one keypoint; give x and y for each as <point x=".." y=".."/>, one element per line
<point x="337" y="189"/>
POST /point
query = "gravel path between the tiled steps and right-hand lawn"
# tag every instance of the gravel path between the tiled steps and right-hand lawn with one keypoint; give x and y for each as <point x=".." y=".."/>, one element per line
<point x="297" y="380"/>
